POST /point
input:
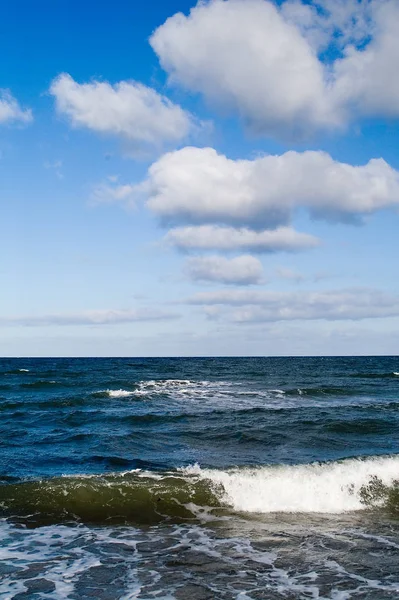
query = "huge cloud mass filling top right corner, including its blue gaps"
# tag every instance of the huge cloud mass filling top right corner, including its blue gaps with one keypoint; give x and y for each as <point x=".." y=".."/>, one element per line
<point x="265" y="62"/>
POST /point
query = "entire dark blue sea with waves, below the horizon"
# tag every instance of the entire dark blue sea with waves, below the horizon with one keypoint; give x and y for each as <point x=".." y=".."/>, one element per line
<point x="197" y="478"/>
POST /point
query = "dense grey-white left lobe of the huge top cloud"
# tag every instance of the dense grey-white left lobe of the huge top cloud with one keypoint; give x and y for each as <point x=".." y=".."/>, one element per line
<point x="243" y="55"/>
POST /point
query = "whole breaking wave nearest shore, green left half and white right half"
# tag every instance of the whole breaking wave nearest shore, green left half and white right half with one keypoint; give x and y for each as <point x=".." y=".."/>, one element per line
<point x="196" y="493"/>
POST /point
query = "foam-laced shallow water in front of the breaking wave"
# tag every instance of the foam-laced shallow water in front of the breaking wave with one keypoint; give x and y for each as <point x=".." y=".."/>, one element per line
<point x="126" y="563"/>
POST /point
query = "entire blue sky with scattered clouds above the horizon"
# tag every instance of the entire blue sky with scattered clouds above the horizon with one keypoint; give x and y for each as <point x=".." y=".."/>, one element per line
<point x="181" y="179"/>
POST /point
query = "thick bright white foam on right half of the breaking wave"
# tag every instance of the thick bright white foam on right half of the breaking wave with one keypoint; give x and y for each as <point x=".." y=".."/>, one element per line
<point x="313" y="488"/>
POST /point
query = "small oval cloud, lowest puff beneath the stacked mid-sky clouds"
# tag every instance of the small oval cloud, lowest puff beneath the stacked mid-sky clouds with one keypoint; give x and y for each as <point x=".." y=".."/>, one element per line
<point x="242" y="270"/>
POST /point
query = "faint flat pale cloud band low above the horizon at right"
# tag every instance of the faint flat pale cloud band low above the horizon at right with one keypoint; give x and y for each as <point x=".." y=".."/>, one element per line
<point x="335" y="305"/>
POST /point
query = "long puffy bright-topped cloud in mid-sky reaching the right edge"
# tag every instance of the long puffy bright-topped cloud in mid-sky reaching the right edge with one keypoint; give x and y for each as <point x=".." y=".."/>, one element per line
<point x="199" y="186"/>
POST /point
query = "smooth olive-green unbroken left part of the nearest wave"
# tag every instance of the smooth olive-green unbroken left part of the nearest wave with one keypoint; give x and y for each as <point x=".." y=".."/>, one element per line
<point x="137" y="497"/>
